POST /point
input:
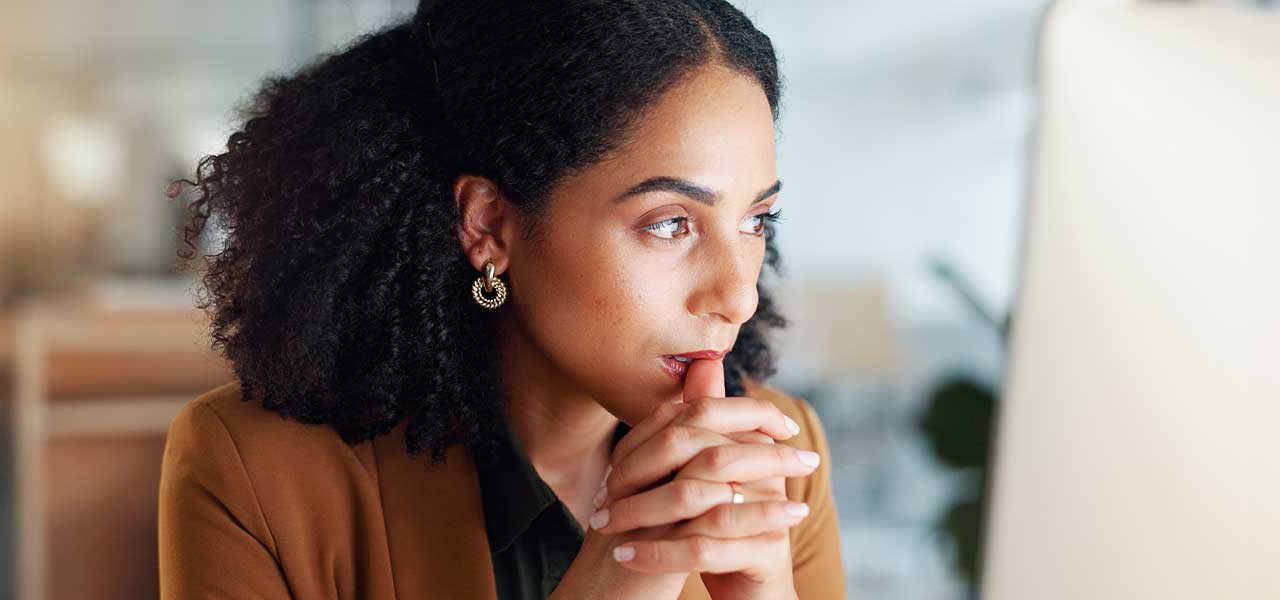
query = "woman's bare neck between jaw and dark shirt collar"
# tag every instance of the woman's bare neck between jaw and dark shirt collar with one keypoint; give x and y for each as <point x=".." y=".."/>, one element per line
<point x="557" y="423"/>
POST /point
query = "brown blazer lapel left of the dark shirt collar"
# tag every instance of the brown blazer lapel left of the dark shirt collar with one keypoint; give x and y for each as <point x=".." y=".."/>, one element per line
<point x="435" y="523"/>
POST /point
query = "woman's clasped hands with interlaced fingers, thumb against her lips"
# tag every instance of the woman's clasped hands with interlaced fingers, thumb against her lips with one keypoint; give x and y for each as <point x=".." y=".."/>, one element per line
<point x="673" y="483"/>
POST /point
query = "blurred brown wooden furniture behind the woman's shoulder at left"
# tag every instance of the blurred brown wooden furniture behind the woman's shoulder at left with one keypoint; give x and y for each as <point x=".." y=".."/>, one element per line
<point x="95" y="391"/>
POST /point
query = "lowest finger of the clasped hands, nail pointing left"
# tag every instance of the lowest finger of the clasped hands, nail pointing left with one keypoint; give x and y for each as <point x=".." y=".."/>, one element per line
<point x="705" y="555"/>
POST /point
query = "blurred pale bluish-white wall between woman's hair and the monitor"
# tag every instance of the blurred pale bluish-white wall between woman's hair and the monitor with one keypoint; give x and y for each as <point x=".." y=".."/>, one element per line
<point x="904" y="136"/>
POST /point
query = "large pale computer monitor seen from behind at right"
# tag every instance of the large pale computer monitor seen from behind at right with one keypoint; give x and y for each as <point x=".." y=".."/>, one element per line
<point x="1139" y="437"/>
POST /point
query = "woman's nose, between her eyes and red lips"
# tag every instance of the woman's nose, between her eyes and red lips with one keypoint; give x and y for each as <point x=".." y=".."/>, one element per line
<point x="726" y="285"/>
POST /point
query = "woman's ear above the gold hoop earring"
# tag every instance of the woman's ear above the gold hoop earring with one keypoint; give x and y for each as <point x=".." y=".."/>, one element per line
<point x="488" y="225"/>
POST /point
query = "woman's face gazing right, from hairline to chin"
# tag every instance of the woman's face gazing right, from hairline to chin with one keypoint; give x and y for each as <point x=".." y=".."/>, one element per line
<point x="615" y="282"/>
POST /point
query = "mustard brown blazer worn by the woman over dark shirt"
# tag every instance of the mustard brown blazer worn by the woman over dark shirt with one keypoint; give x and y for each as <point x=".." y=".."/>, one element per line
<point x="254" y="506"/>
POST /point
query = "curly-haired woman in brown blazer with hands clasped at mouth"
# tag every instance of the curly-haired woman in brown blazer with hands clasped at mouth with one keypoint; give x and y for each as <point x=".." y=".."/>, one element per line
<point x="496" y="273"/>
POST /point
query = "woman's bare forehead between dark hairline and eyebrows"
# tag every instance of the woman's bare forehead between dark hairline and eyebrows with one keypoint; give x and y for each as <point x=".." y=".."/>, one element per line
<point x="715" y="127"/>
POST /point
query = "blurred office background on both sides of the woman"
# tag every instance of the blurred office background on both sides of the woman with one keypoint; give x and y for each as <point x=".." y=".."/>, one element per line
<point x="904" y="144"/>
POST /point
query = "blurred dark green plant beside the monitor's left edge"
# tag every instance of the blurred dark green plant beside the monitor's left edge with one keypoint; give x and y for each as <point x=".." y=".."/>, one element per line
<point x="958" y="425"/>
